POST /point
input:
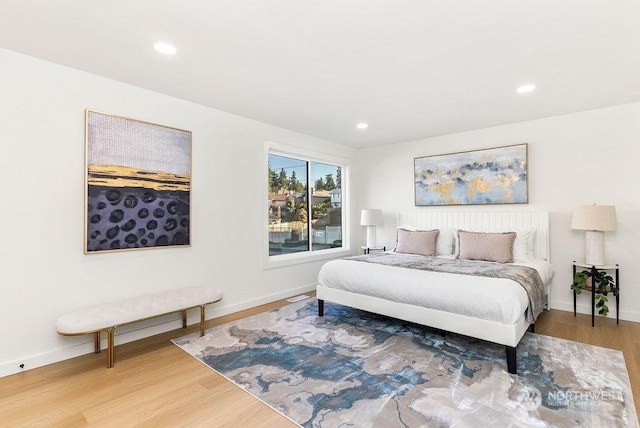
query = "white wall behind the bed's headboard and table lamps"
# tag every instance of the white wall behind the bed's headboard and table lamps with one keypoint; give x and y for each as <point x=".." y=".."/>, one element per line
<point x="577" y="159"/>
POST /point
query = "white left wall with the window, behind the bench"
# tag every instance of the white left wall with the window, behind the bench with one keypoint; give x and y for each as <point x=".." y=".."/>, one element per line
<point x="44" y="272"/>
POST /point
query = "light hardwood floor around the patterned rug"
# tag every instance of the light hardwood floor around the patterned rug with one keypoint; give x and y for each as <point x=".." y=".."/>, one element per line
<point x="154" y="383"/>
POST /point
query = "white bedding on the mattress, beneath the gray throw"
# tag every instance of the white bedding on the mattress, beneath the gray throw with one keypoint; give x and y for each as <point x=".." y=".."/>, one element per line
<point x="492" y="299"/>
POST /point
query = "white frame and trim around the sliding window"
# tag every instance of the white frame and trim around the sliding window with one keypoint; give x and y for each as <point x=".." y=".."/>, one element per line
<point x="307" y="256"/>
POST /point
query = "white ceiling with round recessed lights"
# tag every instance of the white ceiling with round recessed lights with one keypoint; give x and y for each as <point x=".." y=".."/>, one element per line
<point x="409" y="68"/>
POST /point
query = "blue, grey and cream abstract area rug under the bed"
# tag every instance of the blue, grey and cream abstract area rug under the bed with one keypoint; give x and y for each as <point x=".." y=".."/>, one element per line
<point x="354" y="368"/>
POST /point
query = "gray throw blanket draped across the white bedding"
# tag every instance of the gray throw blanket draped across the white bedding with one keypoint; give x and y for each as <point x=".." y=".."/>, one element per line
<point x="527" y="277"/>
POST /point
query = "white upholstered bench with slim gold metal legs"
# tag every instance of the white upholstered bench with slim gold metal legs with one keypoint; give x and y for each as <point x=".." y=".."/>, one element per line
<point x="108" y="316"/>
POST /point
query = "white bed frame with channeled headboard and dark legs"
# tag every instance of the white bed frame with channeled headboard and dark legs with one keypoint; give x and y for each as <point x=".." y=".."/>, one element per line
<point x="503" y="334"/>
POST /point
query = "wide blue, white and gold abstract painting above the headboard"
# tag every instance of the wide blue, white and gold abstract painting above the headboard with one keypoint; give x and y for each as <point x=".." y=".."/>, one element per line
<point x="497" y="175"/>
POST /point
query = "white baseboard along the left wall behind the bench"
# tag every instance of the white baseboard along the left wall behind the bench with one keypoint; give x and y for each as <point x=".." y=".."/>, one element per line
<point x="83" y="345"/>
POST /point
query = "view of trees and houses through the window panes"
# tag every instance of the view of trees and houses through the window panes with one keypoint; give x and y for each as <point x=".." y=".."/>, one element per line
<point x="303" y="217"/>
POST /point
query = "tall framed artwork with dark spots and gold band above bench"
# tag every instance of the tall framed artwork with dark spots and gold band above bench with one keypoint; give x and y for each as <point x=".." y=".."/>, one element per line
<point x="137" y="184"/>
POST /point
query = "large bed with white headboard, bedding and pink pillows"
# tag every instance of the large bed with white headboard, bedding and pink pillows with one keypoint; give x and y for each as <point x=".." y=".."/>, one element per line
<point x="487" y="307"/>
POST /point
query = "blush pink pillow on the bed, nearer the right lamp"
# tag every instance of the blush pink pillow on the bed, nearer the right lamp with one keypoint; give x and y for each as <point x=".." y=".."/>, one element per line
<point x="491" y="247"/>
